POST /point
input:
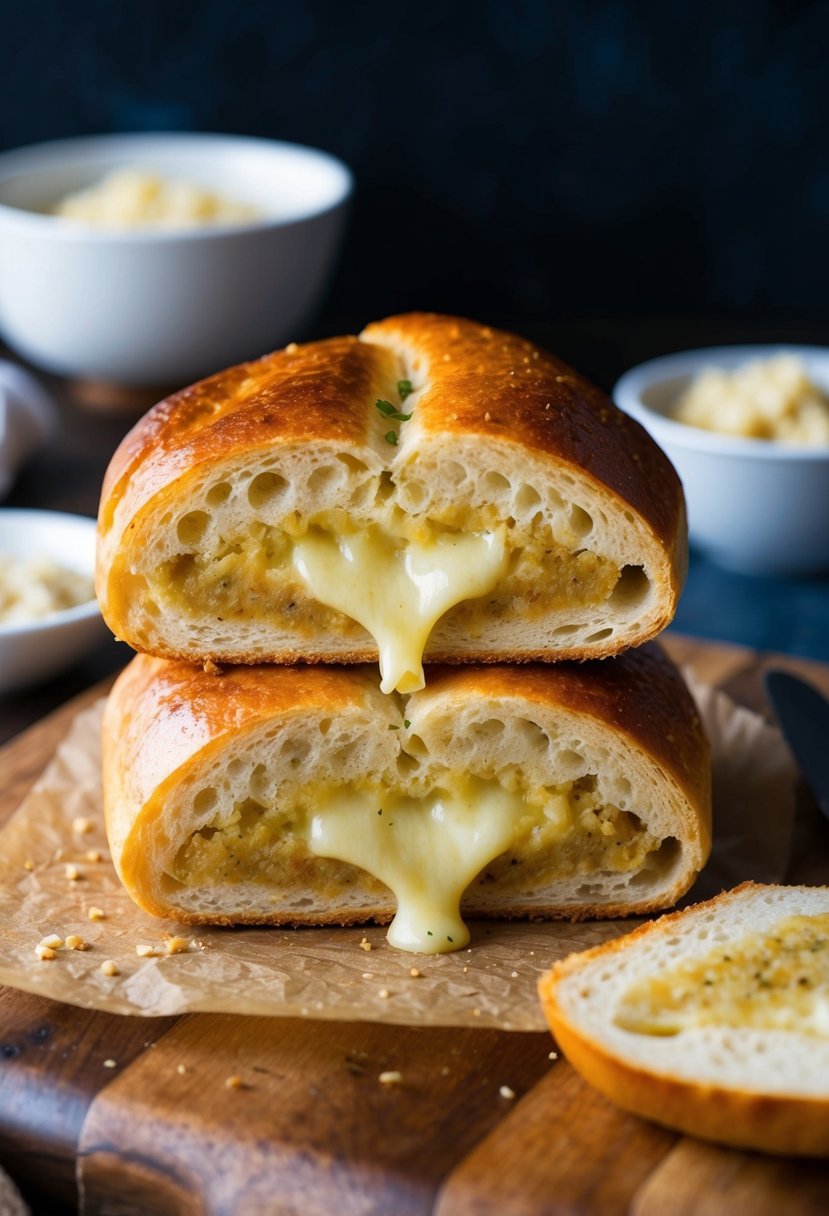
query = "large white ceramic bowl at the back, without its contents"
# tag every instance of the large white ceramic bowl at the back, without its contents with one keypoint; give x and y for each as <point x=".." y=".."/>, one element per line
<point x="165" y="308"/>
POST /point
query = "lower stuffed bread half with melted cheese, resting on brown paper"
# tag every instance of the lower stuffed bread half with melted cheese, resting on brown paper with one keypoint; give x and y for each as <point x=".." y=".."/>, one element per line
<point x="304" y="796"/>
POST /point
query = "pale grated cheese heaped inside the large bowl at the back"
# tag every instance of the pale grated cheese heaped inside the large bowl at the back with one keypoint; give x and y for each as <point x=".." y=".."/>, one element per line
<point x="134" y="199"/>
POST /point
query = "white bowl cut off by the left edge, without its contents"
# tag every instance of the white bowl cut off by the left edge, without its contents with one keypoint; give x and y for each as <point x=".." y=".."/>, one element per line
<point x="35" y="651"/>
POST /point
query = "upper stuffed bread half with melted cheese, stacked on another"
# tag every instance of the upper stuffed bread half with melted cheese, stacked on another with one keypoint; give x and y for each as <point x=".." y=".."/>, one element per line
<point x="284" y="511"/>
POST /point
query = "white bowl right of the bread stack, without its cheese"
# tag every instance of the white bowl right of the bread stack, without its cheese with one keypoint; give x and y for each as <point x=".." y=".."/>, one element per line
<point x="754" y="506"/>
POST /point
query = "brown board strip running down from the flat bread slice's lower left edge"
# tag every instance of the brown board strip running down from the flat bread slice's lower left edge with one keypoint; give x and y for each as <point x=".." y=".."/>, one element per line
<point x="563" y="1150"/>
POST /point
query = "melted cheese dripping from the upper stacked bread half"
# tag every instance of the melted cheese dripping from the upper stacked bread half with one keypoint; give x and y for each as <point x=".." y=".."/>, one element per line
<point x="399" y="589"/>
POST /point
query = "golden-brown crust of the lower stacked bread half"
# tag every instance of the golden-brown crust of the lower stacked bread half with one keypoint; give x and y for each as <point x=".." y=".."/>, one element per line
<point x="167" y="722"/>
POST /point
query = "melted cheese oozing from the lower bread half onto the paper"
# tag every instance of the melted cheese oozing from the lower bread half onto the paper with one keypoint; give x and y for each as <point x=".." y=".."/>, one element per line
<point x="426" y="851"/>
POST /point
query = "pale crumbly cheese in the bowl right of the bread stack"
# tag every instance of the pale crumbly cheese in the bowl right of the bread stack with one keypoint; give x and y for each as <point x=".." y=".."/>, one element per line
<point x="764" y="399"/>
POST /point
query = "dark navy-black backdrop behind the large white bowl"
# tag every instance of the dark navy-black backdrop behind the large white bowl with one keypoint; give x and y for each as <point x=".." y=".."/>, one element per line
<point x="514" y="160"/>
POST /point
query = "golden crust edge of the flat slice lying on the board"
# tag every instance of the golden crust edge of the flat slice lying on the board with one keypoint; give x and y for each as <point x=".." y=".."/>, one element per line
<point x="740" y="1117"/>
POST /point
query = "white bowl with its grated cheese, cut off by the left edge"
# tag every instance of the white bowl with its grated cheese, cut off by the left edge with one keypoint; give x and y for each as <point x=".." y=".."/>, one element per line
<point x="49" y="616"/>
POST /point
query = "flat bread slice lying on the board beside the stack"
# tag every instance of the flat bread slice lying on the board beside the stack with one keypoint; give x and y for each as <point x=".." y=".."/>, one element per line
<point x="714" y="1021"/>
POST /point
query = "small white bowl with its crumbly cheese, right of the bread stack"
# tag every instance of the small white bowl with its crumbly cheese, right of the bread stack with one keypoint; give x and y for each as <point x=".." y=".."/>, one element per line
<point x="748" y="432"/>
